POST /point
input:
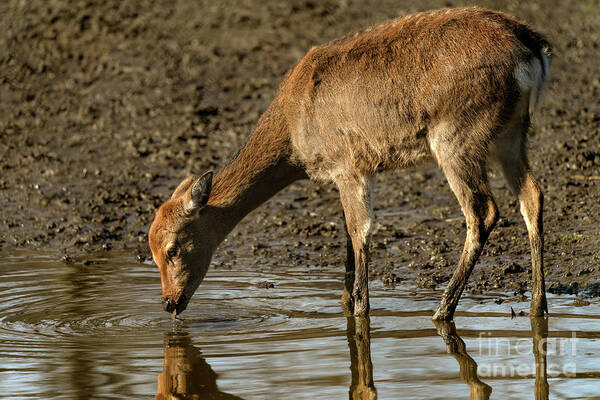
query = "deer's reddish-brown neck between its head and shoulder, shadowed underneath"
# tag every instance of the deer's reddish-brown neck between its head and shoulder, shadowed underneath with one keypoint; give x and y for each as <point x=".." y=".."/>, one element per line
<point x="260" y="170"/>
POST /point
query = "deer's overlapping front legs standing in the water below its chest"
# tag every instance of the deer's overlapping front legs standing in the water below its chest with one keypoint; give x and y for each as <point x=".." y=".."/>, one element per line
<point x="355" y="197"/>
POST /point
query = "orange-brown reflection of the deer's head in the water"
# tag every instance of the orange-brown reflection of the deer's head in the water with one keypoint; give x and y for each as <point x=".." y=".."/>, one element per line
<point x="186" y="374"/>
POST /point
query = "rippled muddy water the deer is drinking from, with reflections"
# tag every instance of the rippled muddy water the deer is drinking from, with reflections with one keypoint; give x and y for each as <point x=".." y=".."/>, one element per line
<point x="97" y="331"/>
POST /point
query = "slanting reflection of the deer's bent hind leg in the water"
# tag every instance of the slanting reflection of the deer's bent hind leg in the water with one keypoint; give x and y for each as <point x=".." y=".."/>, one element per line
<point x="456" y="347"/>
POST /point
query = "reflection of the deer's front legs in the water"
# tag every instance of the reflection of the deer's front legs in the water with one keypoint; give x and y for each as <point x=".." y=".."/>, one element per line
<point x="361" y="367"/>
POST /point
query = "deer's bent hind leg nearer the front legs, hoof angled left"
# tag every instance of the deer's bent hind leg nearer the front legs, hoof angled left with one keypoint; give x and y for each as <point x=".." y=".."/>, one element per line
<point x="467" y="177"/>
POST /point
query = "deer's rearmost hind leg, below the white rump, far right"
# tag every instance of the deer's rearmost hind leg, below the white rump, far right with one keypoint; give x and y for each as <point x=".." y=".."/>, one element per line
<point x="512" y="157"/>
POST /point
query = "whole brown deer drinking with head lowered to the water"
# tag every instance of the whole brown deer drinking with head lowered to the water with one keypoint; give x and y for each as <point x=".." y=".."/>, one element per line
<point x="456" y="85"/>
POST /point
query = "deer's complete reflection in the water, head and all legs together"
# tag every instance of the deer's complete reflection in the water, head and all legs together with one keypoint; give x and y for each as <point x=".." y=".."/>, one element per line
<point x="187" y="375"/>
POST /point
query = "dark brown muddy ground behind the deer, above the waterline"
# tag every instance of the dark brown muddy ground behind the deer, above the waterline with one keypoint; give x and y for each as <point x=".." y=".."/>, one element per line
<point x="105" y="106"/>
